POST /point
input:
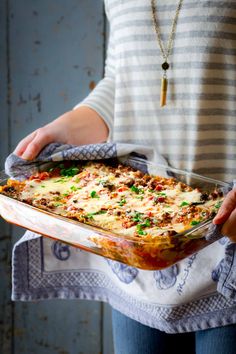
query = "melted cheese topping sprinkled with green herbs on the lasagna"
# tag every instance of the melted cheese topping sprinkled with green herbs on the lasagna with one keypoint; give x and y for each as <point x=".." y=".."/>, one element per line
<point x="121" y="200"/>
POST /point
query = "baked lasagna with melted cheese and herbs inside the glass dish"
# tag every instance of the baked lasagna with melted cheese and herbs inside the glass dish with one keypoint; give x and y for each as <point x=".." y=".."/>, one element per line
<point x="149" y="210"/>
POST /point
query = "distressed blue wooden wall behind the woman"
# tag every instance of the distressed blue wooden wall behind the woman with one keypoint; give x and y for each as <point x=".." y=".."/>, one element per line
<point x="51" y="56"/>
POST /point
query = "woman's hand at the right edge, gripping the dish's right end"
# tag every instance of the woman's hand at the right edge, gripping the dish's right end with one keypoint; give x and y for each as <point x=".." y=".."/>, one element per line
<point x="227" y="216"/>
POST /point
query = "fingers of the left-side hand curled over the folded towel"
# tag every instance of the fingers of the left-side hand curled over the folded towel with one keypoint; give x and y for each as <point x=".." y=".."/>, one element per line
<point x="31" y="146"/>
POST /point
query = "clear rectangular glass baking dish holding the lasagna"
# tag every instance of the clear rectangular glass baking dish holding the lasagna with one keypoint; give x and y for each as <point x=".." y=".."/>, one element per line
<point x="150" y="254"/>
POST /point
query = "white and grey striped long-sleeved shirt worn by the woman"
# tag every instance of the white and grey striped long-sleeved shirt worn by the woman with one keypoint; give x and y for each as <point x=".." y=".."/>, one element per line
<point x="197" y="129"/>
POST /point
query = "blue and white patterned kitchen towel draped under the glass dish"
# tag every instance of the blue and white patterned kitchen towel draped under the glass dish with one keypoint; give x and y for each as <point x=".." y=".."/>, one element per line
<point x="46" y="269"/>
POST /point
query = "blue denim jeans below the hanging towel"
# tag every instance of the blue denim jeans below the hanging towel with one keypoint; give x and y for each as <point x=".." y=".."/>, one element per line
<point x="131" y="337"/>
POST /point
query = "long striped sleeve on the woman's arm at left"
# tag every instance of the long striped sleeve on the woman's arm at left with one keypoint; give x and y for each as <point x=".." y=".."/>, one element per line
<point x="101" y="99"/>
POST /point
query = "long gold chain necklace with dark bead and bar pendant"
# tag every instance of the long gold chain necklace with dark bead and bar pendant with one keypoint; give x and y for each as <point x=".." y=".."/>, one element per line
<point x="165" y="51"/>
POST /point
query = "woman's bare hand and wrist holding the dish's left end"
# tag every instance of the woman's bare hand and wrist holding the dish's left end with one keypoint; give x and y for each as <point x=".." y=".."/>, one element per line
<point x="78" y="127"/>
